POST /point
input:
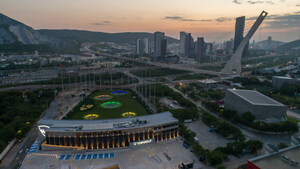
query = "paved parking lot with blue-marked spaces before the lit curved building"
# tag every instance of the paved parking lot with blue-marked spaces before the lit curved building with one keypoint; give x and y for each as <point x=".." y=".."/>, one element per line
<point x="166" y="154"/>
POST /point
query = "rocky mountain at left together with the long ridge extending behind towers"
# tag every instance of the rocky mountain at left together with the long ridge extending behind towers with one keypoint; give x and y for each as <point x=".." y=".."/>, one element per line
<point x="17" y="37"/>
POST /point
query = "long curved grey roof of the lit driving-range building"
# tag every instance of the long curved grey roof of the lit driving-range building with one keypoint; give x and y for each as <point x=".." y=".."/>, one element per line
<point x="108" y="124"/>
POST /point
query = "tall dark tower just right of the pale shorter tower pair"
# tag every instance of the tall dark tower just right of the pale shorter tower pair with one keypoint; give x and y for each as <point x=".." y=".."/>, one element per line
<point x="160" y="45"/>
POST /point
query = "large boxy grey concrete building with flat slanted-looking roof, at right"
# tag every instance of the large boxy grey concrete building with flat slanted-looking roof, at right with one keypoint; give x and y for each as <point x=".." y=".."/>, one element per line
<point x="261" y="106"/>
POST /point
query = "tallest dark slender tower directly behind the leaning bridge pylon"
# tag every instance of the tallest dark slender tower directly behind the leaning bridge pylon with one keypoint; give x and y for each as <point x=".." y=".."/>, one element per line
<point x="239" y="32"/>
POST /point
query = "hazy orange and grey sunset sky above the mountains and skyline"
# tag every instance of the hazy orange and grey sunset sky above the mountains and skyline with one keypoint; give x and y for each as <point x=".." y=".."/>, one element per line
<point x="208" y="18"/>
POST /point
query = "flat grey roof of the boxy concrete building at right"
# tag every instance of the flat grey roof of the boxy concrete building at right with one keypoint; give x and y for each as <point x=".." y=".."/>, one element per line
<point x="255" y="97"/>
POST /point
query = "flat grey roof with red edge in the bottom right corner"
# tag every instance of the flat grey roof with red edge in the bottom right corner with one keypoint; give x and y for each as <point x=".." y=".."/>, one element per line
<point x="287" y="158"/>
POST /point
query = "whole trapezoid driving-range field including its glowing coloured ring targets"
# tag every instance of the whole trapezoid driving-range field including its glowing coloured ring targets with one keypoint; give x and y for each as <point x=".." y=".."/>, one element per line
<point x="108" y="106"/>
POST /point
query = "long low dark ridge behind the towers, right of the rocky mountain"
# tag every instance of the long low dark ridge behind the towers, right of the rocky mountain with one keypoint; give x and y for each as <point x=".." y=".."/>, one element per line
<point x="89" y="36"/>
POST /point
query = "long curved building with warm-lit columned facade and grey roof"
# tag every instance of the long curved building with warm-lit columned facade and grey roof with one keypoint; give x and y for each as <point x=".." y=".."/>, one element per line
<point x="111" y="133"/>
